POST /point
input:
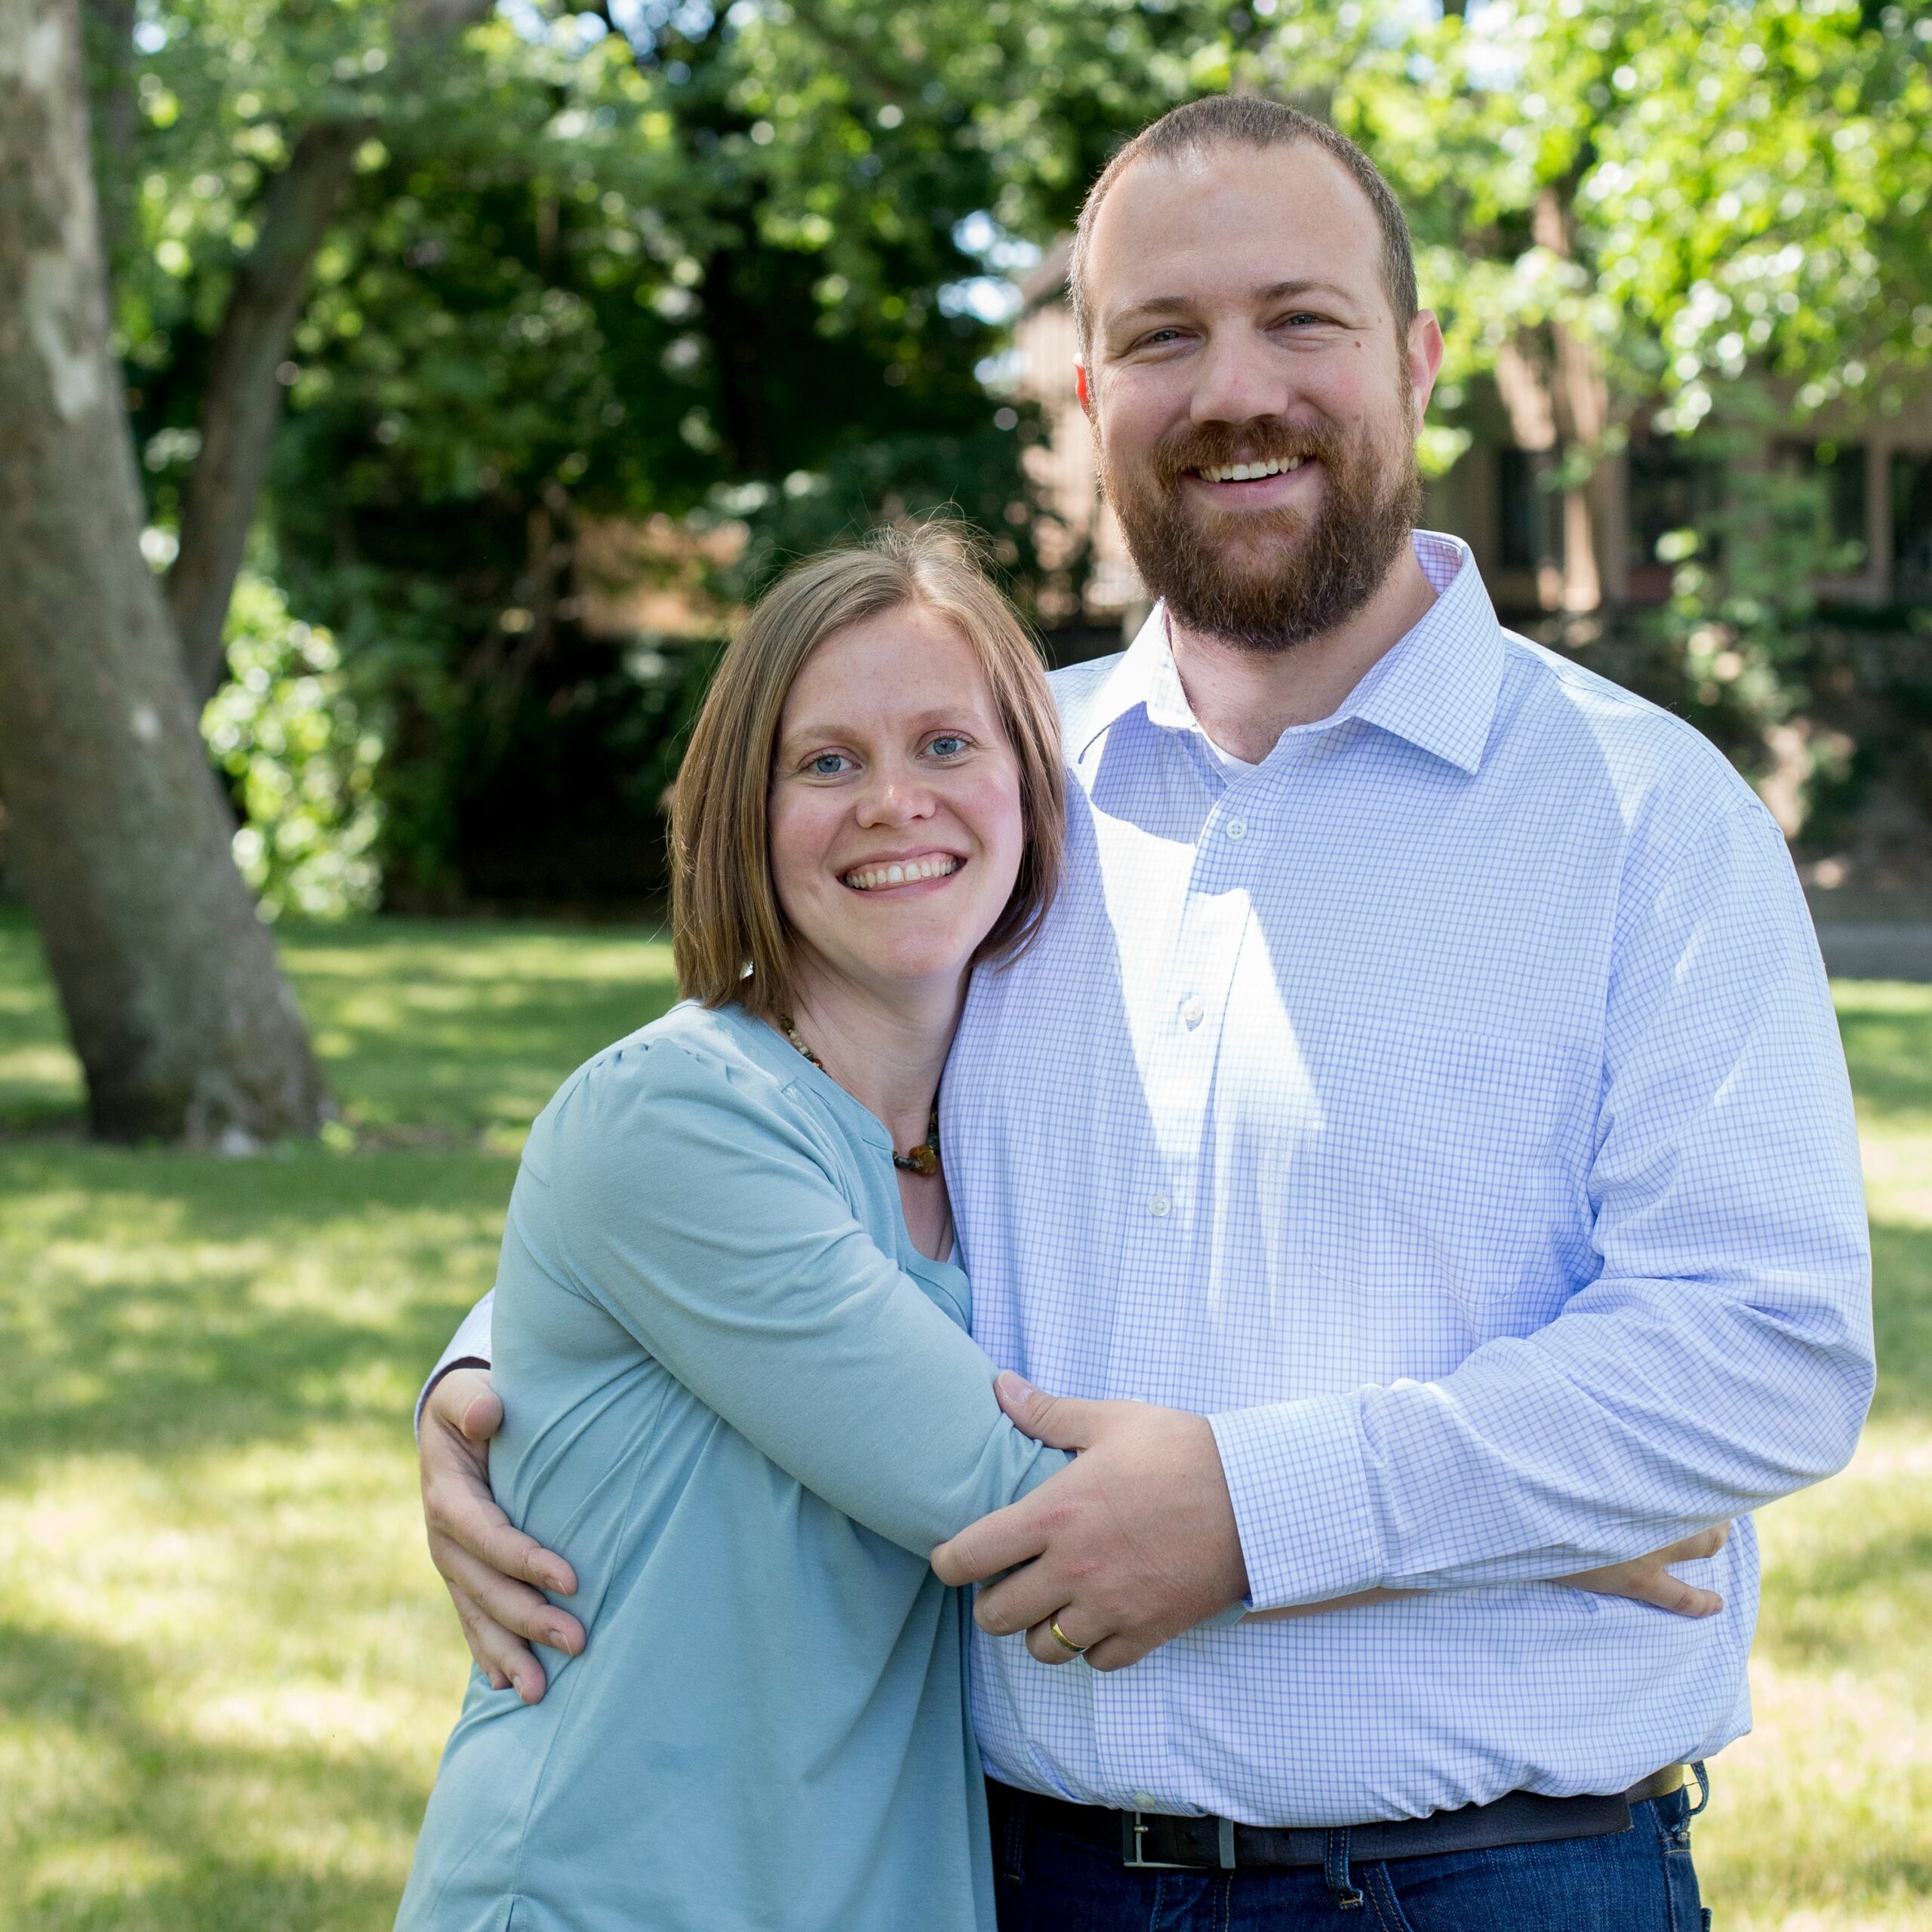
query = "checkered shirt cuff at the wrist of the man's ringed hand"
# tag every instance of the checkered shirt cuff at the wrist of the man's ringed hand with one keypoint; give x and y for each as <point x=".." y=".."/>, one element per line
<point x="1299" y="1481"/>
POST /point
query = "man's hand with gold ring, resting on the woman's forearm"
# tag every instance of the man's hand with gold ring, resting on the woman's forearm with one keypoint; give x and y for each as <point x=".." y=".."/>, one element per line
<point x="1127" y="1548"/>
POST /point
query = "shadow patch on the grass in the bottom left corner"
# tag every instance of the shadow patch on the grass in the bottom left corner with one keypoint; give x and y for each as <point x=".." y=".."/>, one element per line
<point x="167" y="1833"/>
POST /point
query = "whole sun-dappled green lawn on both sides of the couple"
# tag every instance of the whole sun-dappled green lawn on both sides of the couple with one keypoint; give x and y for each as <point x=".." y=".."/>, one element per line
<point x="225" y="1662"/>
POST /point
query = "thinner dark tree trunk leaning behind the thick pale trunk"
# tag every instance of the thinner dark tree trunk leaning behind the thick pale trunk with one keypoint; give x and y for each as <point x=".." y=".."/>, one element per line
<point x="244" y="397"/>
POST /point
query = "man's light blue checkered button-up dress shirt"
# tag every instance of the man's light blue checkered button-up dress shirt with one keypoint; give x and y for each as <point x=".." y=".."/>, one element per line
<point x="1454" y="1112"/>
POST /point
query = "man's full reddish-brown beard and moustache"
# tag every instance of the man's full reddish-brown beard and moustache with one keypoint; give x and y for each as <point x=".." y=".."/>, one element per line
<point x="1301" y="579"/>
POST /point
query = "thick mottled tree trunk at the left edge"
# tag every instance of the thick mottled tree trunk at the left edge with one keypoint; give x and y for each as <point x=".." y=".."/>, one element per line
<point x="119" y="834"/>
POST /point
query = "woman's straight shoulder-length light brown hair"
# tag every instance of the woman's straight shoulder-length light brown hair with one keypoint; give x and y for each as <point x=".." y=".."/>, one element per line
<point x="724" y="907"/>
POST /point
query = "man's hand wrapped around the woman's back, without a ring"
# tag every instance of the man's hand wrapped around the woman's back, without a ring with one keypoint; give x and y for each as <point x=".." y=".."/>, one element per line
<point x="488" y="1564"/>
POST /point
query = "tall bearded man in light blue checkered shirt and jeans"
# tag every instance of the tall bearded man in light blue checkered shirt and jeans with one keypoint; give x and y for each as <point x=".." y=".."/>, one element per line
<point x="1417" y="1154"/>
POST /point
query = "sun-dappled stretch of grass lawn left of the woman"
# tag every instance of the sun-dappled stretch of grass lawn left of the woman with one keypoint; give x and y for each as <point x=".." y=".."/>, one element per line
<point x="227" y="1666"/>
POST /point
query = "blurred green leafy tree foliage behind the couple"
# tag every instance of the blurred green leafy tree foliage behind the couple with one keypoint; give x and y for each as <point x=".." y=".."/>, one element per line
<point x="743" y="273"/>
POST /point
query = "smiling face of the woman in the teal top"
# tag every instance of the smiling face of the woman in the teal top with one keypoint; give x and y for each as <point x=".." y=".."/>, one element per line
<point x="895" y="807"/>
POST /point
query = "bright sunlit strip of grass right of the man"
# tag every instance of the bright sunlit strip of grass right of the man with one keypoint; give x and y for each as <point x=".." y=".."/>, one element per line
<point x="1823" y="1817"/>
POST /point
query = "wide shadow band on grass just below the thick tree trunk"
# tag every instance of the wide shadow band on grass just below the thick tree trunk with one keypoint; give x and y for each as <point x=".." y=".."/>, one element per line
<point x="163" y="1303"/>
